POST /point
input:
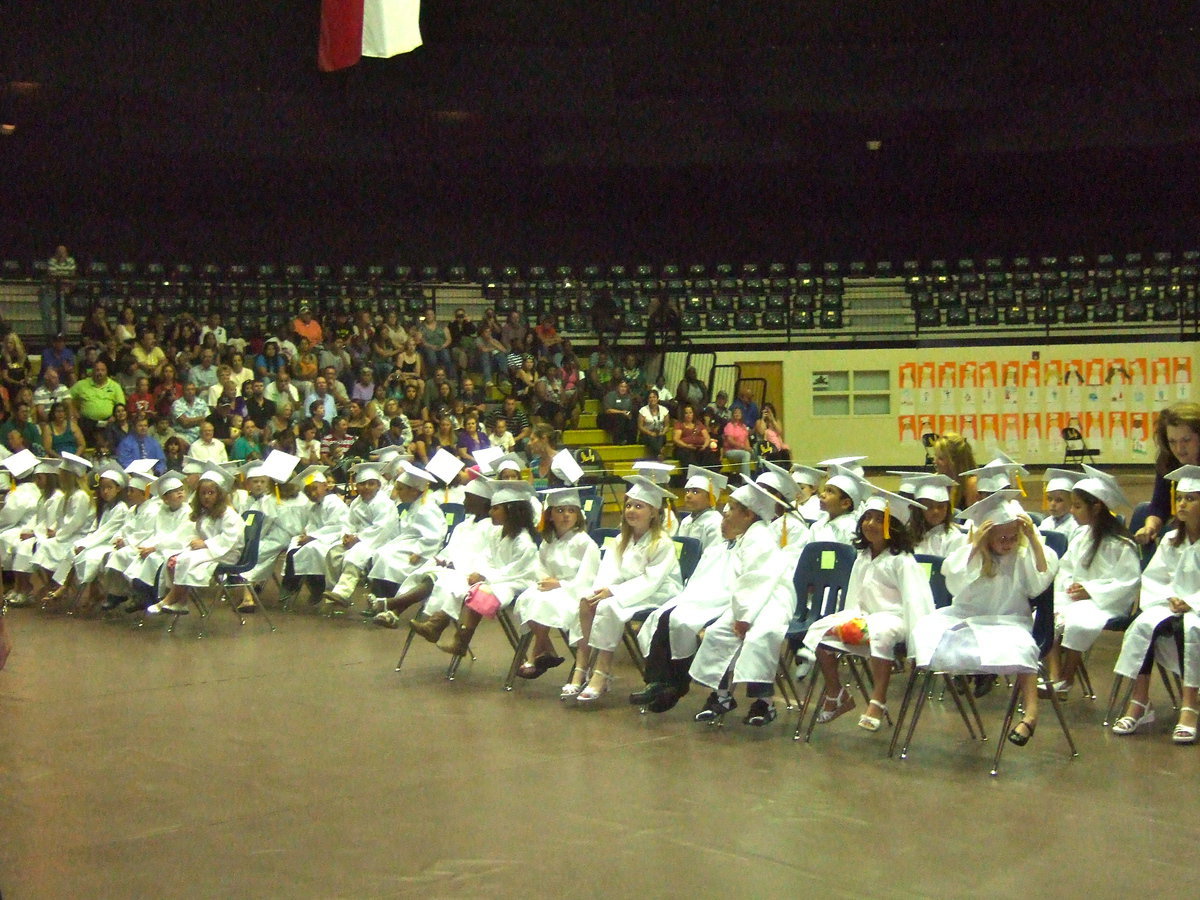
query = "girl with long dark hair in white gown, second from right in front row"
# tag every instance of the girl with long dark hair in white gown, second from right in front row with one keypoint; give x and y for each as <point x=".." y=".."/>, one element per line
<point x="1099" y="578"/>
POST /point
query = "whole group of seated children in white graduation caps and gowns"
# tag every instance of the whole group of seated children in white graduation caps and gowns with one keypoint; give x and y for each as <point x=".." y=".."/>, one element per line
<point x="147" y="544"/>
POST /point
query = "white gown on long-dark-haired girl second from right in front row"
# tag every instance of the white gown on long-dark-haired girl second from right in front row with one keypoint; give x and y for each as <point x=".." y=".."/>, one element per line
<point x="1113" y="580"/>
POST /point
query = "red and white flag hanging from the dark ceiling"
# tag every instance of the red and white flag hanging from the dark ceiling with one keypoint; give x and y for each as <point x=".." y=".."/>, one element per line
<point x="352" y="29"/>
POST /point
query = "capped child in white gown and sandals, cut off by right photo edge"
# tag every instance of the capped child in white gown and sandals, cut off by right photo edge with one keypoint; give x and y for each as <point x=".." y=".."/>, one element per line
<point x="1168" y="625"/>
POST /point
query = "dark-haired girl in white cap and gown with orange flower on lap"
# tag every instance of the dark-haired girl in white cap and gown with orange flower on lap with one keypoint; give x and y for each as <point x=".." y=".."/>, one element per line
<point x="887" y="595"/>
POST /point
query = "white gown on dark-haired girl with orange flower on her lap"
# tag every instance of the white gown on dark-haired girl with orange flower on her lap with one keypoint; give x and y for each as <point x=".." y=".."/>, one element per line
<point x="891" y="592"/>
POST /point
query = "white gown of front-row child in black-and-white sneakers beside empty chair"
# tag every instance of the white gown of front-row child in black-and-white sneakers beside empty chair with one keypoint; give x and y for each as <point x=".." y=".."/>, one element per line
<point x="761" y="593"/>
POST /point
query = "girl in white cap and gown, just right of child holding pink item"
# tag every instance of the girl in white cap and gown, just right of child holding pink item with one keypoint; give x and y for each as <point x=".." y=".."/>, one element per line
<point x="568" y="562"/>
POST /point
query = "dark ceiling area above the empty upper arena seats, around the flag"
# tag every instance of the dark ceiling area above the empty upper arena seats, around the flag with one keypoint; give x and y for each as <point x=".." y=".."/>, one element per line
<point x="539" y="129"/>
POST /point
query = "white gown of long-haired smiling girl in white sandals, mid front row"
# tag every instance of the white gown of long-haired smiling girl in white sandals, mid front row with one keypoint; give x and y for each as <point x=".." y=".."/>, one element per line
<point x="645" y="575"/>
